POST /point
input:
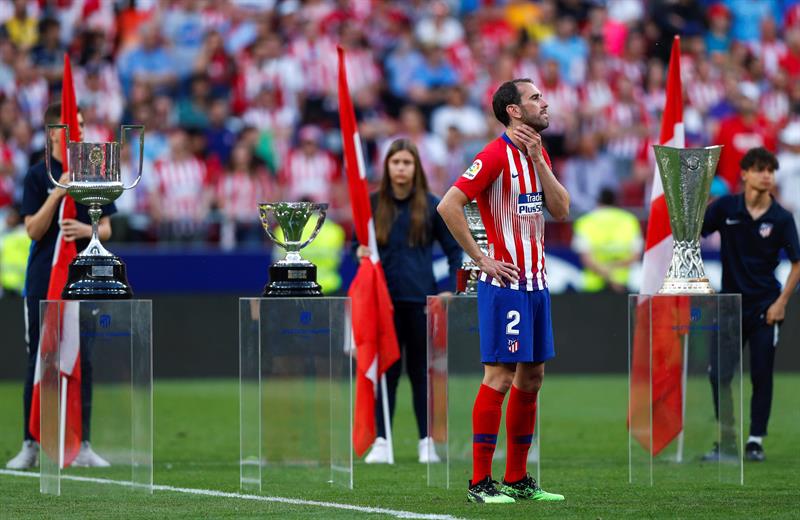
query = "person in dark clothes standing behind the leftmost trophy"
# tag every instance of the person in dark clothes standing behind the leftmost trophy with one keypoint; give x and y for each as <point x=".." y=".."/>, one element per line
<point x="41" y="202"/>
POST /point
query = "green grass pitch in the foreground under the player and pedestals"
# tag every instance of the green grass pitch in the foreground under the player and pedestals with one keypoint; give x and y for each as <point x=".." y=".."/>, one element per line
<point x="584" y="456"/>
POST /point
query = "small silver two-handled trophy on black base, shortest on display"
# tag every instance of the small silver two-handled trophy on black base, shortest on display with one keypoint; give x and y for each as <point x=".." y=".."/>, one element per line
<point x="293" y="276"/>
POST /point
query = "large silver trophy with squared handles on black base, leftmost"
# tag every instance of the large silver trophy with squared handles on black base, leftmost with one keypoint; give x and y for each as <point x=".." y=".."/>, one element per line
<point x="95" y="180"/>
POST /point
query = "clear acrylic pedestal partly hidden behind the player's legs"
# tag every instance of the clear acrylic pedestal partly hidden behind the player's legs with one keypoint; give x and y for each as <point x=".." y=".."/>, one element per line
<point x="455" y="373"/>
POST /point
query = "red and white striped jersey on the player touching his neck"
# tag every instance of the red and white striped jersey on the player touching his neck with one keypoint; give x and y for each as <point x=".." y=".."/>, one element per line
<point x="506" y="186"/>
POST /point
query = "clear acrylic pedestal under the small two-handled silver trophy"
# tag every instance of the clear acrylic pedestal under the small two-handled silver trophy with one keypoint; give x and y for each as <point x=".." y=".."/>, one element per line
<point x="296" y="390"/>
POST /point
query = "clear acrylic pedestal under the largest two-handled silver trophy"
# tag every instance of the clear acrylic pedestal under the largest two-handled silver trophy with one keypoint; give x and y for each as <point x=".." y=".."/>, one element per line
<point x="96" y="384"/>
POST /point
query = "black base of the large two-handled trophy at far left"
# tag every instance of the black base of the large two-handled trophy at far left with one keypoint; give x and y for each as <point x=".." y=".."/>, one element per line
<point x="97" y="278"/>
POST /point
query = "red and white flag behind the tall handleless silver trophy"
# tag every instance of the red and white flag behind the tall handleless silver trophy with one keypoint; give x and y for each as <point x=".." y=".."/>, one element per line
<point x="664" y="369"/>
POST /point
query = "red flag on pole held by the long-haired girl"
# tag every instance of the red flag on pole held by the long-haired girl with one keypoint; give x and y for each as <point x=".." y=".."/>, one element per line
<point x="372" y="312"/>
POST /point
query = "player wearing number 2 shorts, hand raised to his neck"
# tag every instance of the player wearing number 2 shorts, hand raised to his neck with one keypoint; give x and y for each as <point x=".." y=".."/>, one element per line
<point x="513" y="182"/>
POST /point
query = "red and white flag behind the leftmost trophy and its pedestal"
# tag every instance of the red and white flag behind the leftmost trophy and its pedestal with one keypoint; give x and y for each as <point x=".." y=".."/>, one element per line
<point x="64" y="253"/>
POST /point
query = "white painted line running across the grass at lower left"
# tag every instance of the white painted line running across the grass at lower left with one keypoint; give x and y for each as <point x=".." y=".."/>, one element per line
<point x="259" y="498"/>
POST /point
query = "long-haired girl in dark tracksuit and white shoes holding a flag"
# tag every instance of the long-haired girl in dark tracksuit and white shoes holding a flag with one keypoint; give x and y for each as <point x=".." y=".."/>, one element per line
<point x="406" y="225"/>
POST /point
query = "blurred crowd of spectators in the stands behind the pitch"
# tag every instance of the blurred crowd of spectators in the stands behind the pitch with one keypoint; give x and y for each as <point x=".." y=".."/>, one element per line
<point x="239" y="96"/>
